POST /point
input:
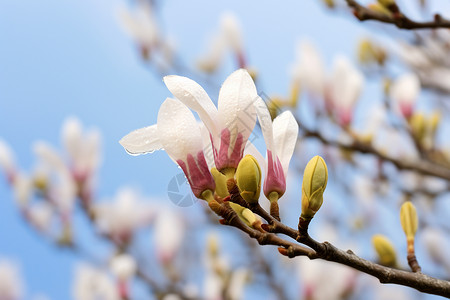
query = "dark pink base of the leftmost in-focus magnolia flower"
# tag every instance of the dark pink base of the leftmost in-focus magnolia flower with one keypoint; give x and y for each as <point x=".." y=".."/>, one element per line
<point x="197" y="173"/>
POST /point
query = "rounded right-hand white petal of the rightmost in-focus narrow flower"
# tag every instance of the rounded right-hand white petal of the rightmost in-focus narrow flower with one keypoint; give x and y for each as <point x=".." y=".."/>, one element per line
<point x="285" y="133"/>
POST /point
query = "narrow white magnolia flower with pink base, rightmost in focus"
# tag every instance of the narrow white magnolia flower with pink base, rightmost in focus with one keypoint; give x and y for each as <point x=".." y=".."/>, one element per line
<point x="280" y="137"/>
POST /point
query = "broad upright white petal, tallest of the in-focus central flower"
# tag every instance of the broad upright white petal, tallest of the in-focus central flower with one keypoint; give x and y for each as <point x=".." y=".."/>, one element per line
<point x="236" y="103"/>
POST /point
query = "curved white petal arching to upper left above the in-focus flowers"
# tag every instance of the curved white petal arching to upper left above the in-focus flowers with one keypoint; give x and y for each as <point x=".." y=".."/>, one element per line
<point x="194" y="96"/>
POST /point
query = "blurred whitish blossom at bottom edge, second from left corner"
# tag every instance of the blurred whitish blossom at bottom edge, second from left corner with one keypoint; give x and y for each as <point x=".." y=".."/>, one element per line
<point x="93" y="284"/>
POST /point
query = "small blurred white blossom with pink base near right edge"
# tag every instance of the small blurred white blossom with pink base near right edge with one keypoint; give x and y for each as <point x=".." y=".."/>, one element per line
<point x="404" y="92"/>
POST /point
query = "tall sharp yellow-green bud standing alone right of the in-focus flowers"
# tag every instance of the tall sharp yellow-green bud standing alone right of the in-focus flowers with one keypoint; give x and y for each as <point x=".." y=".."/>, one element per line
<point x="315" y="180"/>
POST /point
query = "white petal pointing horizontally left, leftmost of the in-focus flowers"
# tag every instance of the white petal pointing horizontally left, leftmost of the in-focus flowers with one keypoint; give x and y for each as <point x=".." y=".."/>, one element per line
<point x="142" y="141"/>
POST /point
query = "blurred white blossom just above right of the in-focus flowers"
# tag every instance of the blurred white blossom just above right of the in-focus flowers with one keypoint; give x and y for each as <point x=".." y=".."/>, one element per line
<point x="308" y="70"/>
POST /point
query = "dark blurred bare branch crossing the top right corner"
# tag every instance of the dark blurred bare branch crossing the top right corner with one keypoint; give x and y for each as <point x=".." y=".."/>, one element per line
<point x="399" y="20"/>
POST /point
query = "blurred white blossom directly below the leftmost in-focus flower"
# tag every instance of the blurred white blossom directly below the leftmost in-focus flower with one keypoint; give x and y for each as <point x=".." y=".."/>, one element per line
<point x="169" y="233"/>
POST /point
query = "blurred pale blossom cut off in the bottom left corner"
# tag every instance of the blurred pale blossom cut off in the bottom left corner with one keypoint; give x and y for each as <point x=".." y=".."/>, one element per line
<point x="11" y="285"/>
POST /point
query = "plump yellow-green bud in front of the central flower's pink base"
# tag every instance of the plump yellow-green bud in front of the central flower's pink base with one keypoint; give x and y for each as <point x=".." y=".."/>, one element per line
<point x="248" y="179"/>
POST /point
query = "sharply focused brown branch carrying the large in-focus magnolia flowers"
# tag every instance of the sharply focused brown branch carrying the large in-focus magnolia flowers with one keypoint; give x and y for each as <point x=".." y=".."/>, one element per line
<point x="265" y="234"/>
